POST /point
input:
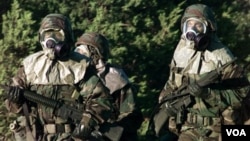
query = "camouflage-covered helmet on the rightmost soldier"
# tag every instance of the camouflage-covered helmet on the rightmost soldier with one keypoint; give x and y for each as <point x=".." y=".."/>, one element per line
<point x="202" y="12"/>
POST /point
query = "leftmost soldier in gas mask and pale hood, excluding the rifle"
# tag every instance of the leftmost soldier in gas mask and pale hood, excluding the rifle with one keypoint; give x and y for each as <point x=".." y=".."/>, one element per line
<point x="58" y="73"/>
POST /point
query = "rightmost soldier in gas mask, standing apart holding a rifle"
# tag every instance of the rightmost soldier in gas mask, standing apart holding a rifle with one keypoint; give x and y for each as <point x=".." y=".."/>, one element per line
<point x="212" y="101"/>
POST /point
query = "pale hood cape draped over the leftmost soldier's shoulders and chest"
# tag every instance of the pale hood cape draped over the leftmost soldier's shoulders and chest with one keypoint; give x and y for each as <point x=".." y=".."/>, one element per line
<point x="39" y="69"/>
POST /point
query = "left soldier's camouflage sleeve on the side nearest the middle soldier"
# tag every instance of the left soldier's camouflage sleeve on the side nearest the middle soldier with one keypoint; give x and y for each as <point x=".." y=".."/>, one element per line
<point x="96" y="100"/>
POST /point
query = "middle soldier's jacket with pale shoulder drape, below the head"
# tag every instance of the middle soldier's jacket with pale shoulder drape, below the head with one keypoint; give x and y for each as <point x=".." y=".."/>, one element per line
<point x="125" y="98"/>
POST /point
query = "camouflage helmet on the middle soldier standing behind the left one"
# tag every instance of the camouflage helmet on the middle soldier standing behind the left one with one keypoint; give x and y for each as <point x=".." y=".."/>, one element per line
<point x="97" y="41"/>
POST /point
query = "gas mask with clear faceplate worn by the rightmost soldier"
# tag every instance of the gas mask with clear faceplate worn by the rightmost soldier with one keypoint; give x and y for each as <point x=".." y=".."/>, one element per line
<point x="196" y="30"/>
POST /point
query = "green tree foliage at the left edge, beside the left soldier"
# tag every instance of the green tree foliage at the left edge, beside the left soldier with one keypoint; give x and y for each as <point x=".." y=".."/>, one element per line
<point x="17" y="42"/>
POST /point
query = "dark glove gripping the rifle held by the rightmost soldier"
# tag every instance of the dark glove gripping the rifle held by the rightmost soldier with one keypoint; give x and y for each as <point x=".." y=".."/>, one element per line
<point x="197" y="91"/>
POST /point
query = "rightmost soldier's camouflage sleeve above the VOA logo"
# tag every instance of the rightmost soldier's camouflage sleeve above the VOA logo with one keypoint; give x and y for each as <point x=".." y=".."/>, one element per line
<point x="230" y="92"/>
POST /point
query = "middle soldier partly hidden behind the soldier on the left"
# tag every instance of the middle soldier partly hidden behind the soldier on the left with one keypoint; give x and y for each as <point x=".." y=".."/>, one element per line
<point x="96" y="46"/>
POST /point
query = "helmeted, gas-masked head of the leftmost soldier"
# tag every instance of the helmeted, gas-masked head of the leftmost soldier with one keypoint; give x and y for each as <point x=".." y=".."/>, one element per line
<point x="56" y="35"/>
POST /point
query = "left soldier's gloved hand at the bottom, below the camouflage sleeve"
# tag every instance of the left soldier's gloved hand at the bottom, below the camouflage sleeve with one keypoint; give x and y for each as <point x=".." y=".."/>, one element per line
<point x="84" y="128"/>
